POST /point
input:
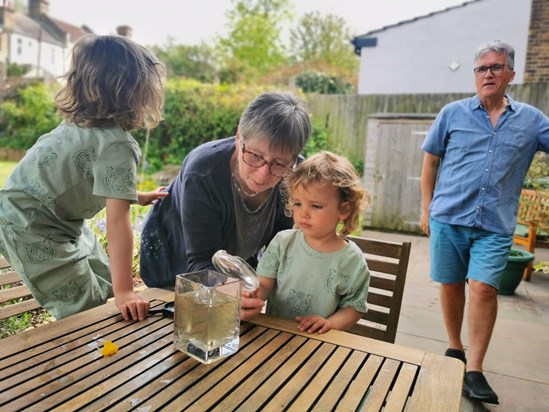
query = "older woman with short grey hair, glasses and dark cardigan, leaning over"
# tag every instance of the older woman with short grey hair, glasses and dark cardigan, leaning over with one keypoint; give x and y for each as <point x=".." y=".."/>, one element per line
<point x="226" y="195"/>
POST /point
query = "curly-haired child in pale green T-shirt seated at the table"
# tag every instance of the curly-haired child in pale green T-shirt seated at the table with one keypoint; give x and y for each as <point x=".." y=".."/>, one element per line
<point x="312" y="273"/>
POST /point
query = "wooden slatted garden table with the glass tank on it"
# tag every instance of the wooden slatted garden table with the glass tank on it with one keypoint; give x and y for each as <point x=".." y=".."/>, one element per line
<point x="59" y="367"/>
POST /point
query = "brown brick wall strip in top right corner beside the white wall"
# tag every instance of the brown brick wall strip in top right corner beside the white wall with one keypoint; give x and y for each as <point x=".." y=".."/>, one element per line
<point x="537" y="54"/>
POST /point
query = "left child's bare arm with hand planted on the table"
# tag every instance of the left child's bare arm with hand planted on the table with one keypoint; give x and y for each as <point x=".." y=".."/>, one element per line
<point x="120" y="245"/>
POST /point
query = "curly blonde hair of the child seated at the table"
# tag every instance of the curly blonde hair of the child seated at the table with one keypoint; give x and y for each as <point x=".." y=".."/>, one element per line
<point x="327" y="167"/>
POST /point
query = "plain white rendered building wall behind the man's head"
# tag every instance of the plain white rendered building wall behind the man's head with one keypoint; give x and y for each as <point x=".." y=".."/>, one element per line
<point x="415" y="57"/>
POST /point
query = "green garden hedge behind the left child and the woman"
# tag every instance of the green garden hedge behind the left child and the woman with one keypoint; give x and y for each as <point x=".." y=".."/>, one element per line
<point x="194" y="113"/>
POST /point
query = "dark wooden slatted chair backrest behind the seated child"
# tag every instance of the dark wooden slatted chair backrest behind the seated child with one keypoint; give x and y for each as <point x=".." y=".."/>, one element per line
<point x="388" y="265"/>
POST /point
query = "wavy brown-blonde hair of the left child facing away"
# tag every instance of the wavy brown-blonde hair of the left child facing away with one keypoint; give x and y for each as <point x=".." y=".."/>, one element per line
<point x="112" y="80"/>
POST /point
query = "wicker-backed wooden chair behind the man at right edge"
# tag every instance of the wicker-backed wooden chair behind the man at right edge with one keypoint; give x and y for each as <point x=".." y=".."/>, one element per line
<point x="534" y="205"/>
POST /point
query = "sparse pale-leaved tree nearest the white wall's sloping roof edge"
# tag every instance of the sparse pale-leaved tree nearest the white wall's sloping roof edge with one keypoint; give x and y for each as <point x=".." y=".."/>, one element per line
<point x="324" y="39"/>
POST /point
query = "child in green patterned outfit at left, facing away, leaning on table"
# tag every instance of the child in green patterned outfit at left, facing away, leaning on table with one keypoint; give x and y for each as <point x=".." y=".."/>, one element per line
<point x="87" y="163"/>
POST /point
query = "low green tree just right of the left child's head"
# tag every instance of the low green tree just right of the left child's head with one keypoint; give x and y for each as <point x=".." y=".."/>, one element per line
<point x="195" y="62"/>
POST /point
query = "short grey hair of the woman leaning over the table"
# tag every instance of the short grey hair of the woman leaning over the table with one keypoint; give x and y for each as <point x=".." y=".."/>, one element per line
<point x="280" y="117"/>
